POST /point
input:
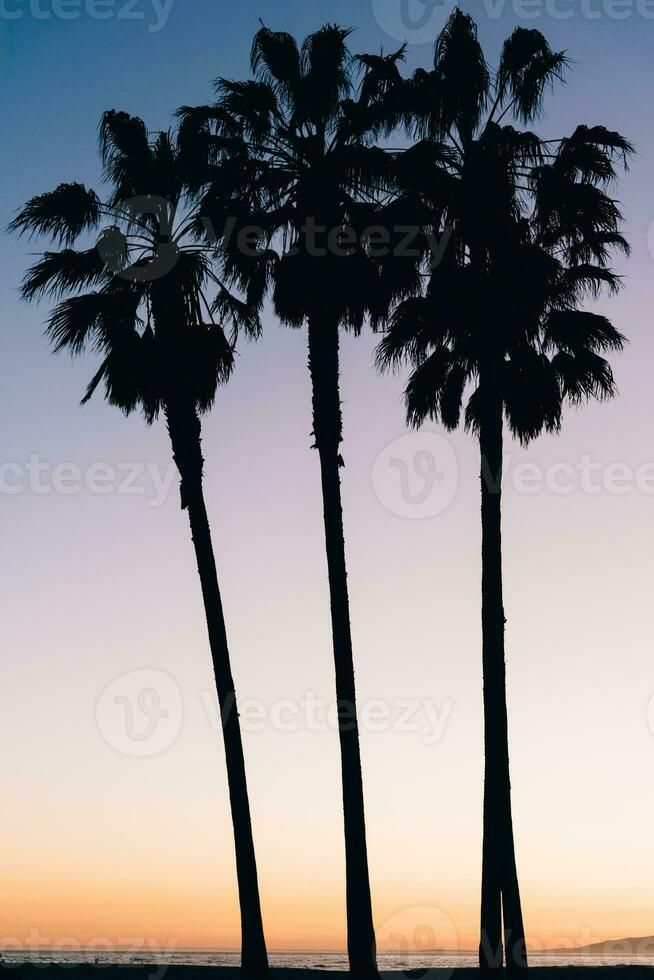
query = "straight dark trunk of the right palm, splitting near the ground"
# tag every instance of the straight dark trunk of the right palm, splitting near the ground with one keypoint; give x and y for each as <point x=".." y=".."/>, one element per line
<point x="500" y="893"/>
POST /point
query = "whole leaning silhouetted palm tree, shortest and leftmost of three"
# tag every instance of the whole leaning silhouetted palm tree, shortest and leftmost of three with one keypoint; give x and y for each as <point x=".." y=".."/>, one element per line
<point x="144" y="297"/>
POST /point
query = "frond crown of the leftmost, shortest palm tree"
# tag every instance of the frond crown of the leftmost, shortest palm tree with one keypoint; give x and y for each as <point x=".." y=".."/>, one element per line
<point x="144" y="295"/>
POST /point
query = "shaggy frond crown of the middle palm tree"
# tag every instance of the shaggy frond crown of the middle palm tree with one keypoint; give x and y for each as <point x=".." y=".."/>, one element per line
<point x="294" y="158"/>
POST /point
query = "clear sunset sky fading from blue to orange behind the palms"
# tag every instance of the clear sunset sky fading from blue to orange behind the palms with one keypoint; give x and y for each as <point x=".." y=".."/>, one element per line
<point x="115" y="822"/>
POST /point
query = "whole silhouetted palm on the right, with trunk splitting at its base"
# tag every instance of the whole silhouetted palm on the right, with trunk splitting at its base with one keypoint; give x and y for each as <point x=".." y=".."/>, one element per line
<point x="500" y="326"/>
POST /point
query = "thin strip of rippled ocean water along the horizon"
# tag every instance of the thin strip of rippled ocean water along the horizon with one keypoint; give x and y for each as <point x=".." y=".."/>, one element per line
<point x="413" y="964"/>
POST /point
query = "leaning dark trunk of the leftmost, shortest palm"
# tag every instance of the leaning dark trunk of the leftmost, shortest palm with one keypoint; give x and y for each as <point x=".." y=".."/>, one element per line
<point x="185" y="435"/>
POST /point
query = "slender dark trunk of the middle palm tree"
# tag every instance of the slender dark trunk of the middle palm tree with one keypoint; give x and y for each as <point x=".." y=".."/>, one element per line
<point x="327" y="427"/>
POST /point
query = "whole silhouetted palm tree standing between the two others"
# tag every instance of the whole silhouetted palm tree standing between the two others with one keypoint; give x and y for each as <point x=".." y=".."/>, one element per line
<point x="293" y="159"/>
